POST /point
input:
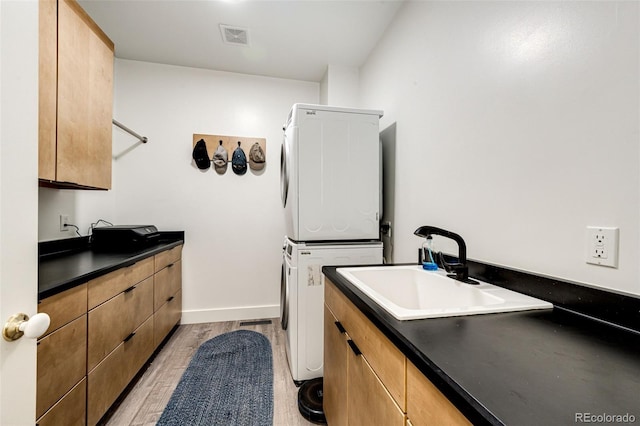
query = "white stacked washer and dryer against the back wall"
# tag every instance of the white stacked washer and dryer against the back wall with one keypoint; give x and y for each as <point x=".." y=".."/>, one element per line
<point x="330" y="173"/>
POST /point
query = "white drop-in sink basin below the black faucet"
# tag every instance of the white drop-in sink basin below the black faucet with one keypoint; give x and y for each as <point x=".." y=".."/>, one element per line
<point x="410" y="292"/>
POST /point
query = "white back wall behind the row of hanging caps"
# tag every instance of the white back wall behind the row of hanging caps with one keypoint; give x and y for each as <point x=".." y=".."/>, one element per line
<point x="233" y="225"/>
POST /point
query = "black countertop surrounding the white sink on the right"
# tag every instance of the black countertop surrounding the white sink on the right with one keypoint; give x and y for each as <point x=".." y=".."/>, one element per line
<point x="552" y="367"/>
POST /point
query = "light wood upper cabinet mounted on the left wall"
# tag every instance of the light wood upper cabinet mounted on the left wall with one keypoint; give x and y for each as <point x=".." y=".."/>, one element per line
<point x="75" y="98"/>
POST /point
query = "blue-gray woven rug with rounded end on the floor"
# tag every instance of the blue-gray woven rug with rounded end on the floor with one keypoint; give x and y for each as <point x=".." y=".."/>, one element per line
<point x="229" y="381"/>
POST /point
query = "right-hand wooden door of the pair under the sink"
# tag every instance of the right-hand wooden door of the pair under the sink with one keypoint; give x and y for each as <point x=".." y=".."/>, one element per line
<point x="369" y="402"/>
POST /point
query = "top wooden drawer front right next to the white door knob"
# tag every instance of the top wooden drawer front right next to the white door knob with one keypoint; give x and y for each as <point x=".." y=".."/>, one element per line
<point x="64" y="307"/>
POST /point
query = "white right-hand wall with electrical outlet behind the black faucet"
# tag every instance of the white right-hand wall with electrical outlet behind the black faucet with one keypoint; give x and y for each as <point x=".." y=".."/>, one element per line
<point x="517" y="127"/>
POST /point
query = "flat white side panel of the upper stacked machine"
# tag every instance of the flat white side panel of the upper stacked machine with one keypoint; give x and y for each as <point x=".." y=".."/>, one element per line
<point x="338" y="177"/>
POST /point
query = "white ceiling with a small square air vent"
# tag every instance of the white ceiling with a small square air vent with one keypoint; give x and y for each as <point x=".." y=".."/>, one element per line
<point x="294" y="39"/>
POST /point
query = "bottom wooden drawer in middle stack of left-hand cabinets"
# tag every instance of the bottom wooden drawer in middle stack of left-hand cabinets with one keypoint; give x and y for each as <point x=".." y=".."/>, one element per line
<point x="107" y="381"/>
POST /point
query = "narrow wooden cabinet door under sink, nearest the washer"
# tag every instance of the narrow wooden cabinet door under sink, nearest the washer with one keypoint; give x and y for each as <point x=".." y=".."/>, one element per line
<point x="334" y="397"/>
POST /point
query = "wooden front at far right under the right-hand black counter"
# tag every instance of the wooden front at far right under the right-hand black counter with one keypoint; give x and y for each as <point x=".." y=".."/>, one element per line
<point x="426" y="405"/>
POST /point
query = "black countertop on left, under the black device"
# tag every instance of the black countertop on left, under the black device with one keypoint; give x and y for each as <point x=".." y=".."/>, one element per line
<point x="66" y="269"/>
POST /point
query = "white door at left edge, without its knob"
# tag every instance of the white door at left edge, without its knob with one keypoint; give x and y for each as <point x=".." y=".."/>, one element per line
<point x="18" y="203"/>
